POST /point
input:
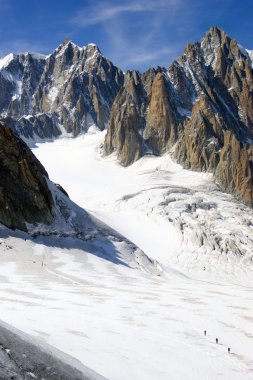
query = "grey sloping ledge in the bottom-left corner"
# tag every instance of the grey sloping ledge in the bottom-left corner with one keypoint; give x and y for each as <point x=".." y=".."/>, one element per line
<point x="24" y="357"/>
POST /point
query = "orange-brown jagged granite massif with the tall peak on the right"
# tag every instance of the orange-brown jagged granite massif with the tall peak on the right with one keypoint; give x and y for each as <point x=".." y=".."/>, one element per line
<point x="200" y="109"/>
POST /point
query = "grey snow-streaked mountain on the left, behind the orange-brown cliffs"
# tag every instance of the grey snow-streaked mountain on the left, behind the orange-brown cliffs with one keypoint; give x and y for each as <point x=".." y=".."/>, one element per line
<point x="67" y="91"/>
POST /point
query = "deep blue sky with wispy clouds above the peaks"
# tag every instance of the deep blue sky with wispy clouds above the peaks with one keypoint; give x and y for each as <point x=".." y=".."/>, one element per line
<point x="132" y="34"/>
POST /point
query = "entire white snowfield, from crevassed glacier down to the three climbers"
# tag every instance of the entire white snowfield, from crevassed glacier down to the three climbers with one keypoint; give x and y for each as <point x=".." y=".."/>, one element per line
<point x="128" y="314"/>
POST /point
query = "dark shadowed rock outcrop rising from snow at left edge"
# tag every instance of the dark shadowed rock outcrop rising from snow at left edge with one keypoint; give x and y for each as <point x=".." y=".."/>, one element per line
<point x="24" y="194"/>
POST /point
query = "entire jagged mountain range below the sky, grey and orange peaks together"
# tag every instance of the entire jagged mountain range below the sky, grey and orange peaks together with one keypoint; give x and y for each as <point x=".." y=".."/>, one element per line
<point x="200" y="109"/>
